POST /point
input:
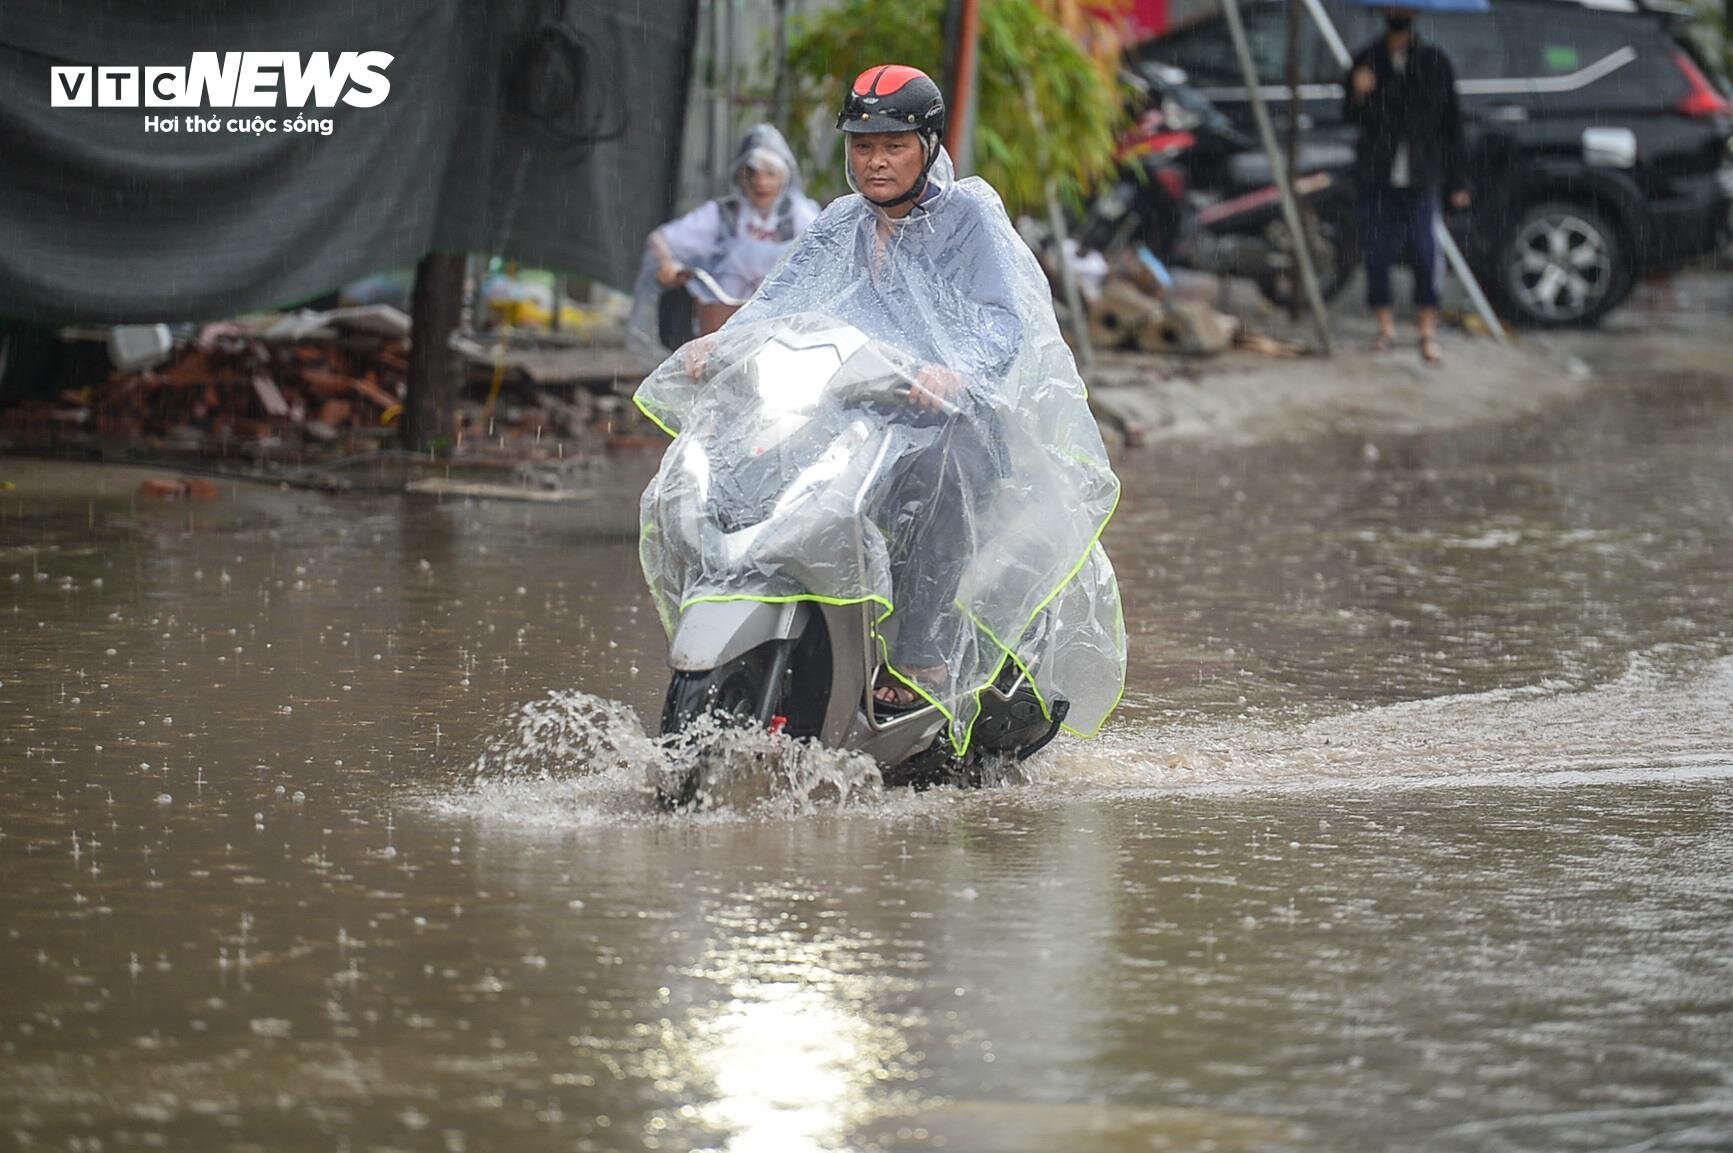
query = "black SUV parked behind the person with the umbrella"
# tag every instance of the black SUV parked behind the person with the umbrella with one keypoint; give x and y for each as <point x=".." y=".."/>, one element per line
<point x="1600" y="143"/>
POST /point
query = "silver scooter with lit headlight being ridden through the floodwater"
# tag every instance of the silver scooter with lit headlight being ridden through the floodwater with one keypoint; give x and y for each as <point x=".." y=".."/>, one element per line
<point x="769" y="656"/>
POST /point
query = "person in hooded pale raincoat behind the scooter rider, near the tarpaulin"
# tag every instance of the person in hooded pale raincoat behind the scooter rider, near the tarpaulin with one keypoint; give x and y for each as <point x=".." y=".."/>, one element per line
<point x="736" y="238"/>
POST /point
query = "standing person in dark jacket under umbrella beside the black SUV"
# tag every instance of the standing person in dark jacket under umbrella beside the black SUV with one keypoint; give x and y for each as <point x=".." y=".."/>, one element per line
<point x="1410" y="155"/>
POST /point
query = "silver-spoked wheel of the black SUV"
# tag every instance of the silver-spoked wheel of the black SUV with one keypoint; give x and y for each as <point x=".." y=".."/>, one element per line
<point x="1562" y="266"/>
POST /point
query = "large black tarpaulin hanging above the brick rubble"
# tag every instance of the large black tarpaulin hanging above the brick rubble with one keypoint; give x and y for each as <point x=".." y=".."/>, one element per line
<point x="543" y="131"/>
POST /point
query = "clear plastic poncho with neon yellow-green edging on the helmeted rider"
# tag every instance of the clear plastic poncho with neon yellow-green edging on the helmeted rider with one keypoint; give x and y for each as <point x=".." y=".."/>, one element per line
<point x="802" y="471"/>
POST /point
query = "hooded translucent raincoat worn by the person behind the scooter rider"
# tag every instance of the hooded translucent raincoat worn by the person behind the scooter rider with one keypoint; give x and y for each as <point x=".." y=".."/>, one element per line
<point x="727" y="237"/>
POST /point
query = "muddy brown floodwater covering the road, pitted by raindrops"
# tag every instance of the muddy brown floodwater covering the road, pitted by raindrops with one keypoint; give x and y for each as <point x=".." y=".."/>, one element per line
<point x="1415" y="831"/>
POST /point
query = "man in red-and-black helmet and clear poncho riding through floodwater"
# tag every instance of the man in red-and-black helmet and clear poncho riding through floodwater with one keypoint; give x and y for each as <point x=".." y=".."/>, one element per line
<point x="992" y="512"/>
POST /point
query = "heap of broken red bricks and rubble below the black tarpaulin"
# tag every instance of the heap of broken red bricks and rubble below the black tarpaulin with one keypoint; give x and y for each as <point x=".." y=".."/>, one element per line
<point x="332" y="384"/>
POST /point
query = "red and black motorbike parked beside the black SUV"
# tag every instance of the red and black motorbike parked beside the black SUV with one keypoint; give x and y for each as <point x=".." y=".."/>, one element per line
<point x="1198" y="193"/>
